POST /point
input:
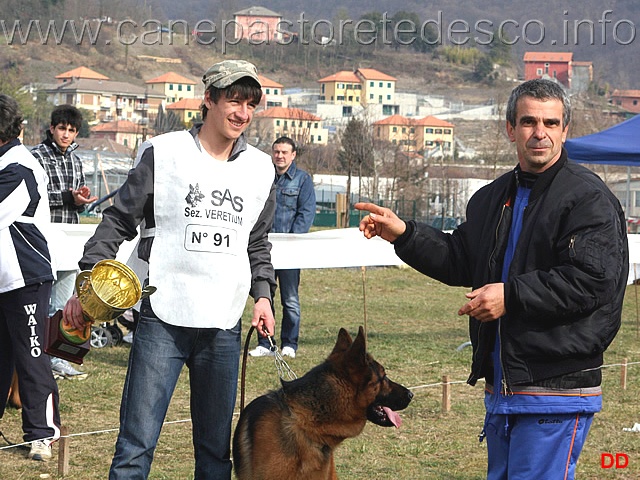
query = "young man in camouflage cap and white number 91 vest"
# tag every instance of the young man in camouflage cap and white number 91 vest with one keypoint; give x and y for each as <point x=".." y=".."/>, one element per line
<point x="205" y="201"/>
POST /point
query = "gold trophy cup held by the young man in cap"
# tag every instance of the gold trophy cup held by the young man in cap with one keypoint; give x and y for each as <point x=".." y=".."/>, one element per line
<point x="105" y="292"/>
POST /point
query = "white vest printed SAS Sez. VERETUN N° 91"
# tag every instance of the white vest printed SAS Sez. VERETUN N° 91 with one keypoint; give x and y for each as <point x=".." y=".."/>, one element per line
<point x="205" y="210"/>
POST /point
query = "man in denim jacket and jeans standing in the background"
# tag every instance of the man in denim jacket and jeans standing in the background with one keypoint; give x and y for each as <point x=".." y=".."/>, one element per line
<point x="295" y="211"/>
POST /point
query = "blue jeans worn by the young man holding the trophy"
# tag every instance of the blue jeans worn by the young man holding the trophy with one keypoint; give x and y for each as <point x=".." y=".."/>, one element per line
<point x="158" y="353"/>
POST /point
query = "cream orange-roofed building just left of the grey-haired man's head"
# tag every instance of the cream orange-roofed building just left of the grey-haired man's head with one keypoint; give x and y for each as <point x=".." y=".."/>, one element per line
<point x="426" y="134"/>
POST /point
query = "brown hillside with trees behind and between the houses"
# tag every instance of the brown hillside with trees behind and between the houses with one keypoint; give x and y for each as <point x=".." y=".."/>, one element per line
<point x="133" y="41"/>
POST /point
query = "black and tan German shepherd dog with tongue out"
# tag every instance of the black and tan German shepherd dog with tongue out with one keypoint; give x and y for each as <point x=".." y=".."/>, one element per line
<point x="291" y="433"/>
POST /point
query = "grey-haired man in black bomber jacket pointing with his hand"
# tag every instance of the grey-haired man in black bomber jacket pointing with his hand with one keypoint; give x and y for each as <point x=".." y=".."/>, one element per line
<point x="544" y="249"/>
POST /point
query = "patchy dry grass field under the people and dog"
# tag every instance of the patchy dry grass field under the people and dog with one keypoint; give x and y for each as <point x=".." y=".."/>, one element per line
<point x="413" y="330"/>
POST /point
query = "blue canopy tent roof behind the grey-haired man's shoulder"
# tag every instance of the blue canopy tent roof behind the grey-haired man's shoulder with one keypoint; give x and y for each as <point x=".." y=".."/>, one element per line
<point x="618" y="145"/>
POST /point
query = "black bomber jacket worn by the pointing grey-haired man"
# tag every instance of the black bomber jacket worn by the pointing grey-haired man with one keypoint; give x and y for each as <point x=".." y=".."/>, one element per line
<point x="566" y="282"/>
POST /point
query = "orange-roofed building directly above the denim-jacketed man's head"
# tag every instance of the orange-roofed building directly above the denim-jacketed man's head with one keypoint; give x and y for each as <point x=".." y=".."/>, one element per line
<point x="300" y="125"/>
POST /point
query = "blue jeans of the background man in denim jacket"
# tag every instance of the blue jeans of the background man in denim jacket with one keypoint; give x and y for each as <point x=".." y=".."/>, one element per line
<point x="288" y="282"/>
